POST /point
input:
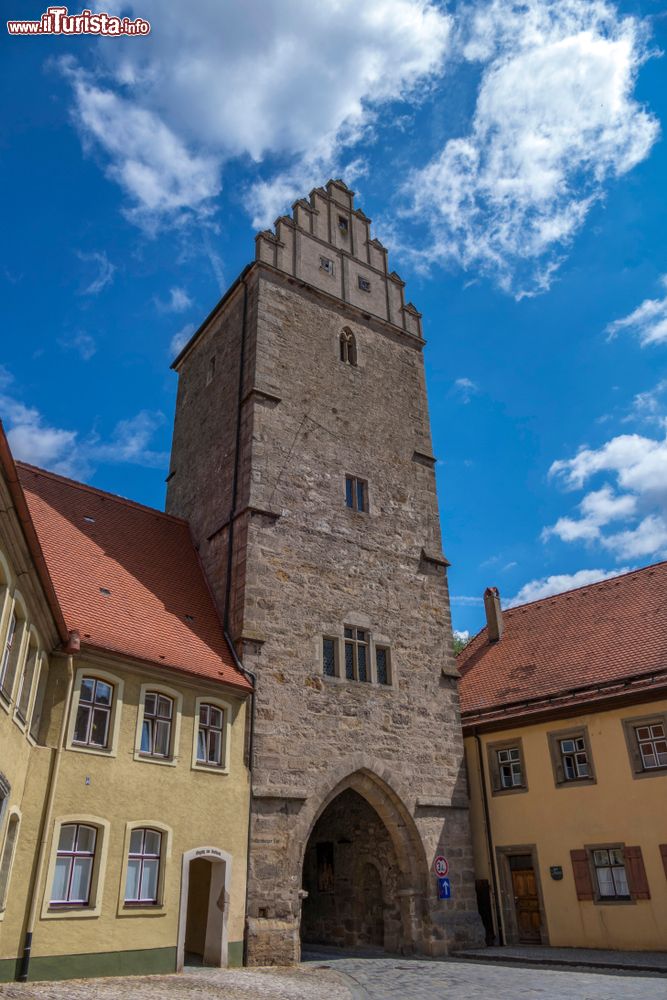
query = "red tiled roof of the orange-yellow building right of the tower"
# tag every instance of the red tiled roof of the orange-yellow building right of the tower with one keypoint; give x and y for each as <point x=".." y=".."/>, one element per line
<point x="606" y="632"/>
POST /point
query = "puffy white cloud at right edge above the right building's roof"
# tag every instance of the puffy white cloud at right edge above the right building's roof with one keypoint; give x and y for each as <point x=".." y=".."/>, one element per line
<point x="637" y="496"/>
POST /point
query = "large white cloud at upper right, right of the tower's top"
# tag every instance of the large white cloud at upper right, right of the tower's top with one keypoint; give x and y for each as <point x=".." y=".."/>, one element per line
<point x="555" y="121"/>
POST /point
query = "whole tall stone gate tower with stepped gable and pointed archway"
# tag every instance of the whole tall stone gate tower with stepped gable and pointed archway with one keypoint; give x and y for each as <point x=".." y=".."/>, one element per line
<point x="302" y="460"/>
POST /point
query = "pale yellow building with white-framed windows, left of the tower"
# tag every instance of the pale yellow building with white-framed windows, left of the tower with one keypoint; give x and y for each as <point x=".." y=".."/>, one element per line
<point x="124" y="786"/>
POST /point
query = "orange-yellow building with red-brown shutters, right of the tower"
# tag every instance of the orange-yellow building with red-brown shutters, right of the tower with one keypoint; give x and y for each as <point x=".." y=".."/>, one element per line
<point x="564" y="711"/>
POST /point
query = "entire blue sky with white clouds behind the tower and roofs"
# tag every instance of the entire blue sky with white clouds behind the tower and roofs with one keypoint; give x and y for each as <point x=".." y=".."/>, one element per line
<point x="511" y="156"/>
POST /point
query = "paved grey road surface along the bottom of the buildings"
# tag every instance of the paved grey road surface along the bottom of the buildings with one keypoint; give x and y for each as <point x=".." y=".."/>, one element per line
<point x="334" y="978"/>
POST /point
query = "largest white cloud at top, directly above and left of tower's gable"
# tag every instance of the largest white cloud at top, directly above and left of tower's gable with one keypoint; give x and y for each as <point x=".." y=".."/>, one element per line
<point x="285" y="77"/>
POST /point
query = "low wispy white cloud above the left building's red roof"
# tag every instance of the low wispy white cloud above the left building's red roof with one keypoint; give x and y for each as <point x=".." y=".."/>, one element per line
<point x="32" y="439"/>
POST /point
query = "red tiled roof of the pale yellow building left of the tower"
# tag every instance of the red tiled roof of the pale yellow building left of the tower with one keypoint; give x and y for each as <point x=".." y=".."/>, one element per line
<point x="127" y="577"/>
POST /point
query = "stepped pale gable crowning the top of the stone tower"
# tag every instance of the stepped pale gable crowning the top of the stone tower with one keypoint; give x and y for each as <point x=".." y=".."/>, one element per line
<point x="327" y="243"/>
